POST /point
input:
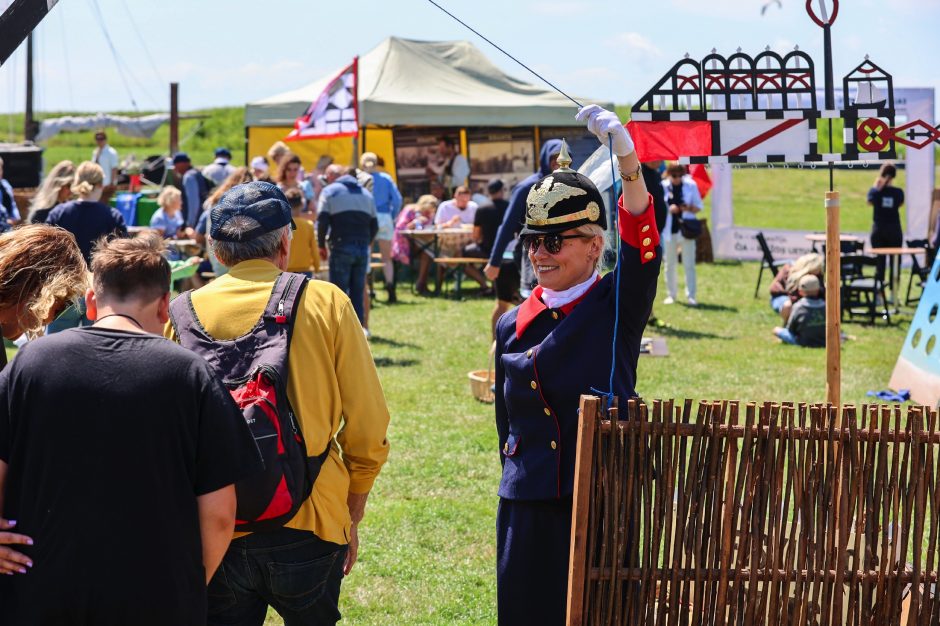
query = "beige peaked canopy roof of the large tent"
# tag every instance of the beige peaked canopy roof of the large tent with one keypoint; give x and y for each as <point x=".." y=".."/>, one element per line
<point x="404" y="82"/>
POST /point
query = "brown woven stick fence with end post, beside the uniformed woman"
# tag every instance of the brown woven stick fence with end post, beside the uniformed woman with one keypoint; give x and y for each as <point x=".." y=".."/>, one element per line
<point x="801" y="515"/>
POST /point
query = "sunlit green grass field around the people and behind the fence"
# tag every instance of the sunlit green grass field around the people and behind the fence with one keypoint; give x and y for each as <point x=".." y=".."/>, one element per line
<point x="427" y="551"/>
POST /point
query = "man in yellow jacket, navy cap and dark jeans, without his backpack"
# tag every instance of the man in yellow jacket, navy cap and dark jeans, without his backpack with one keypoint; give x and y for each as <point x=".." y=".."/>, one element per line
<point x="333" y="387"/>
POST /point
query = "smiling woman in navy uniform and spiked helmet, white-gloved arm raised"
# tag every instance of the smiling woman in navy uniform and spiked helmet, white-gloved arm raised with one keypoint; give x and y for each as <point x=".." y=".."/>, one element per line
<point x="556" y="346"/>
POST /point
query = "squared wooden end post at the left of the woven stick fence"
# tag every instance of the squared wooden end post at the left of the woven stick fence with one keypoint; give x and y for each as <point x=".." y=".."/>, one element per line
<point x="583" y="466"/>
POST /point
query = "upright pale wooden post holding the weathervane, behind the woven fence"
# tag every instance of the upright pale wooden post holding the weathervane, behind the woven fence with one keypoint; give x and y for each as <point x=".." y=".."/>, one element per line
<point x="833" y="302"/>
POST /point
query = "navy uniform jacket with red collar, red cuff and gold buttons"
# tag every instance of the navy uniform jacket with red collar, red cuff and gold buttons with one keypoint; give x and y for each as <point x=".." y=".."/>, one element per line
<point x="546" y="358"/>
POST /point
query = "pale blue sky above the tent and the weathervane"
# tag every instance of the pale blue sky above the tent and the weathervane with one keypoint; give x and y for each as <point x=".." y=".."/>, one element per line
<point x="231" y="52"/>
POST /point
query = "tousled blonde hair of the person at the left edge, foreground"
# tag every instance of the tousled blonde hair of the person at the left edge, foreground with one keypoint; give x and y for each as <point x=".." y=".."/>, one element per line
<point x="41" y="268"/>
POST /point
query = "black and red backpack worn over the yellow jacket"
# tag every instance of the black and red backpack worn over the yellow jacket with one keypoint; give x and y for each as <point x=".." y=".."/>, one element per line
<point x="254" y="369"/>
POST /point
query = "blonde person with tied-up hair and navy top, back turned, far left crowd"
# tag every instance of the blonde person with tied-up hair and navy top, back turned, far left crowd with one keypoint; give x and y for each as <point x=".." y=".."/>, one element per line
<point x="87" y="218"/>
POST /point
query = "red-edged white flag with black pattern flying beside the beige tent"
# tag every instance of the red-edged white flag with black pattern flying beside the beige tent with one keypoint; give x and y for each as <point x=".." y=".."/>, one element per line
<point x="335" y="113"/>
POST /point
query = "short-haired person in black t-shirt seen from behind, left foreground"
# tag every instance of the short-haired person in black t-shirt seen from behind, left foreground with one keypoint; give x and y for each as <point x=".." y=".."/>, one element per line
<point x="118" y="454"/>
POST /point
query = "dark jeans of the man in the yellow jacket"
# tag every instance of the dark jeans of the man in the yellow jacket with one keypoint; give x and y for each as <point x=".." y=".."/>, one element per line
<point x="293" y="571"/>
